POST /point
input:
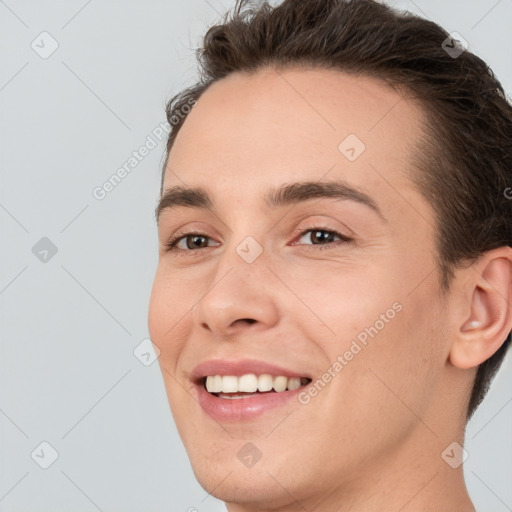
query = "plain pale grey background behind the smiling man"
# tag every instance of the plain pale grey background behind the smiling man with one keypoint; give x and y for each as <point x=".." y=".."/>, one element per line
<point x="70" y="324"/>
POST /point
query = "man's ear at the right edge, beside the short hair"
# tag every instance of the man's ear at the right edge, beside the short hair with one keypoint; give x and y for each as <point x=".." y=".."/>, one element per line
<point x="486" y="320"/>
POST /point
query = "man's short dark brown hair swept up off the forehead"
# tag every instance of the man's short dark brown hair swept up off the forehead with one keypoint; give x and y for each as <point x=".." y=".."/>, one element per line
<point x="465" y="158"/>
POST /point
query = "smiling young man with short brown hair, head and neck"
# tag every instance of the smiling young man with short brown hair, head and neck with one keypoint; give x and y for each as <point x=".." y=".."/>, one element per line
<point x="334" y="282"/>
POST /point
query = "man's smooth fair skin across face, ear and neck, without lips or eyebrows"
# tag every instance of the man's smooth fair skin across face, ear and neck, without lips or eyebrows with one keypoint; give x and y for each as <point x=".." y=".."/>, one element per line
<point x="373" y="438"/>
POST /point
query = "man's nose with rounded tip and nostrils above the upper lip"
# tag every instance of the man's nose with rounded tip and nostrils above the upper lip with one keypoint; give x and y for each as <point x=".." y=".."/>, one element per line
<point x="240" y="296"/>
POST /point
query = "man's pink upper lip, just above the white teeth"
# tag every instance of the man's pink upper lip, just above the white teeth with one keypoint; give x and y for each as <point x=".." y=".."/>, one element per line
<point x="240" y="367"/>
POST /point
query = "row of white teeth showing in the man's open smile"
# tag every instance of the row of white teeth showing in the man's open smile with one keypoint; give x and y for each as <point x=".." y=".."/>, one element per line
<point x="250" y="383"/>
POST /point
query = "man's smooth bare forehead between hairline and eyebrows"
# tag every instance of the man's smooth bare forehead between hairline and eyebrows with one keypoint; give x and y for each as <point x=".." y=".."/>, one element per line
<point x="249" y="132"/>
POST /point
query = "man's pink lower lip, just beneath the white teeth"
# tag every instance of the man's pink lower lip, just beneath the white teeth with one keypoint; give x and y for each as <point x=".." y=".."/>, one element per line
<point x="242" y="409"/>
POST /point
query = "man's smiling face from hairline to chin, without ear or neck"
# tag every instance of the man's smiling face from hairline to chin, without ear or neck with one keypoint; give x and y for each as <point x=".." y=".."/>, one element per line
<point x="343" y="286"/>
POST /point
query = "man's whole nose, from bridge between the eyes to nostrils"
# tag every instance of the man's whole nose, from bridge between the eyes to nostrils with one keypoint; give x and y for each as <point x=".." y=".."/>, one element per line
<point x="239" y="289"/>
